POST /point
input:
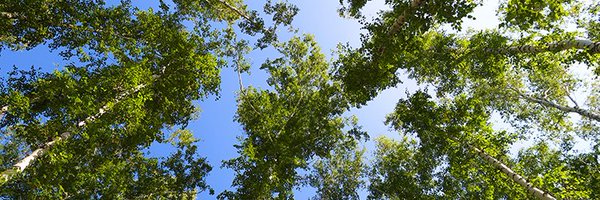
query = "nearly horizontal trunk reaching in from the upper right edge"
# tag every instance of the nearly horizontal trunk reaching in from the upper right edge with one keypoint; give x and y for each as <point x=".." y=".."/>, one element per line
<point x="593" y="47"/>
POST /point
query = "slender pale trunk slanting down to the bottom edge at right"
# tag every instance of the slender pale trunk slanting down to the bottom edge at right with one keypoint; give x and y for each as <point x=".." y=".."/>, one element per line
<point x="510" y="173"/>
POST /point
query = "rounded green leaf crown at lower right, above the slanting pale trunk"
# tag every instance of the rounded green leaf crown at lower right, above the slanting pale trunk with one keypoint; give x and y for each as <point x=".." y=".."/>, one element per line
<point x="440" y="163"/>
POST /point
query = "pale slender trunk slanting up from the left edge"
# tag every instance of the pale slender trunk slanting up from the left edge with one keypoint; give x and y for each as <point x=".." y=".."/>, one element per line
<point x="26" y="162"/>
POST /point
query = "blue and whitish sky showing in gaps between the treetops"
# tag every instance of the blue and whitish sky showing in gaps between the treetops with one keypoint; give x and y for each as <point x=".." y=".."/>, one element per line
<point x="216" y="128"/>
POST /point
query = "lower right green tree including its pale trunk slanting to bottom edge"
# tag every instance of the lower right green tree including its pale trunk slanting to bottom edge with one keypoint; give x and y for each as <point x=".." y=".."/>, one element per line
<point x="454" y="131"/>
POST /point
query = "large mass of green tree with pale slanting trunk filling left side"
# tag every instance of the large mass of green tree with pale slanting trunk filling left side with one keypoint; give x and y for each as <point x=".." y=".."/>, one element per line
<point x="136" y="74"/>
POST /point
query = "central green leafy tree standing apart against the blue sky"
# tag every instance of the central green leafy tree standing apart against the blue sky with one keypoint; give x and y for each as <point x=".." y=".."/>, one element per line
<point x="301" y="118"/>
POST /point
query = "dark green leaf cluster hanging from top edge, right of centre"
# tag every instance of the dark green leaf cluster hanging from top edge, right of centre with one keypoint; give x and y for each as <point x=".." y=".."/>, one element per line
<point x="371" y="68"/>
